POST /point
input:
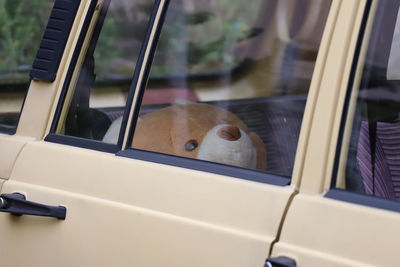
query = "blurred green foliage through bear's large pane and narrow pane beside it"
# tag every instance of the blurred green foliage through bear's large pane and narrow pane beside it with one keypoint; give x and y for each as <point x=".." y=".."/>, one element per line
<point x="197" y="36"/>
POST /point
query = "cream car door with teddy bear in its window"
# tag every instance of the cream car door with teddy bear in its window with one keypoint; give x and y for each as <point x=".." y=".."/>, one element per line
<point x="130" y="205"/>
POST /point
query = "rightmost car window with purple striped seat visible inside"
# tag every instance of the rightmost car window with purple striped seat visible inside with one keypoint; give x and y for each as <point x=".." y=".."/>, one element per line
<point x="371" y="154"/>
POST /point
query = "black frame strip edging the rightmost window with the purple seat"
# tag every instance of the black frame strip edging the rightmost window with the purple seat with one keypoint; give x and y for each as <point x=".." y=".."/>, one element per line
<point x="342" y="194"/>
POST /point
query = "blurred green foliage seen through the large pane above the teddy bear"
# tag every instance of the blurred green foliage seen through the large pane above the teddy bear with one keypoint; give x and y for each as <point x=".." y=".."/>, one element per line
<point x="201" y="37"/>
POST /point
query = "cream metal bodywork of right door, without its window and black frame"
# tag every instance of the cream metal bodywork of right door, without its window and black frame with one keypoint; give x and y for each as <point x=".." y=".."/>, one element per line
<point x="335" y="232"/>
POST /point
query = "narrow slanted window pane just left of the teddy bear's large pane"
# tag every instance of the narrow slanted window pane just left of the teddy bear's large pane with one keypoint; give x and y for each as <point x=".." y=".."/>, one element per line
<point x="99" y="87"/>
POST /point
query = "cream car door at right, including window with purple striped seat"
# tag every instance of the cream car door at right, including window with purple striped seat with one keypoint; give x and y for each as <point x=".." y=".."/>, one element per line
<point x="347" y="207"/>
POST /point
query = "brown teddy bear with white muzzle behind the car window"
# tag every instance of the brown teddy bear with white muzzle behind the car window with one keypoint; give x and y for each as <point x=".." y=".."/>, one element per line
<point x="199" y="131"/>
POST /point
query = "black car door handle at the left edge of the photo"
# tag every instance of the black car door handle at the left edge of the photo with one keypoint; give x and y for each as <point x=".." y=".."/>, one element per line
<point x="16" y="204"/>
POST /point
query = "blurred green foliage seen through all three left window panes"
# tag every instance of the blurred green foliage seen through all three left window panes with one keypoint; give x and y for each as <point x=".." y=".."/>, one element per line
<point x="201" y="38"/>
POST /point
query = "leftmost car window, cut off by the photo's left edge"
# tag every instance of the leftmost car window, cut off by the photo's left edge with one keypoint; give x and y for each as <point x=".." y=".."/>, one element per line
<point x="21" y="28"/>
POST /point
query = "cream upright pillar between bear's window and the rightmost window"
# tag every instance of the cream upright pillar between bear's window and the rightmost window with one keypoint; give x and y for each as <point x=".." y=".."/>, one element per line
<point x="328" y="110"/>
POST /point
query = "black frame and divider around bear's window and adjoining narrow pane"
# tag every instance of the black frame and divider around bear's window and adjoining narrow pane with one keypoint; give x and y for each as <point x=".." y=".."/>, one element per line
<point x="132" y="108"/>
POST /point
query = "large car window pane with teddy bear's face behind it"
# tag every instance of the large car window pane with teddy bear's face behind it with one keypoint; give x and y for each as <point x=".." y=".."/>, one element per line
<point x="229" y="82"/>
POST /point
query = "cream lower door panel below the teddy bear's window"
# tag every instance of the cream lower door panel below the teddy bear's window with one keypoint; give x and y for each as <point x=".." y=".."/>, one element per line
<point x="166" y="209"/>
